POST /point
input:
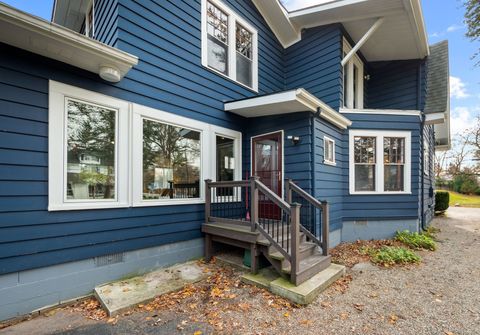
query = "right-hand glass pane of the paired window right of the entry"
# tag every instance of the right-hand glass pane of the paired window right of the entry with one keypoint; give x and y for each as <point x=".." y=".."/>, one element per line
<point x="394" y="163"/>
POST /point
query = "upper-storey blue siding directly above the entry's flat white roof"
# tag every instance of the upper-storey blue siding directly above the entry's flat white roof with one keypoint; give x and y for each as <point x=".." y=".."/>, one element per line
<point x="314" y="64"/>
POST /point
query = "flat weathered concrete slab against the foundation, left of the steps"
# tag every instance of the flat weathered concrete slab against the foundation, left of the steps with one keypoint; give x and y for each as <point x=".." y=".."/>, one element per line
<point x="120" y="295"/>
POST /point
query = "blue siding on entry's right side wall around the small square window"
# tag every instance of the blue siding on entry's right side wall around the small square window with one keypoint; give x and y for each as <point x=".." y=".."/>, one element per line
<point x="329" y="182"/>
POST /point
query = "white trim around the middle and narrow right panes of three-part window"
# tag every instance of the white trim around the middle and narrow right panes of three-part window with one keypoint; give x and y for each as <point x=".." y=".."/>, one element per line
<point x="207" y="154"/>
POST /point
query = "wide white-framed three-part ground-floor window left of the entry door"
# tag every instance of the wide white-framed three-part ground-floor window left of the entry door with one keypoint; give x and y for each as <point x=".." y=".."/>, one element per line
<point x="108" y="153"/>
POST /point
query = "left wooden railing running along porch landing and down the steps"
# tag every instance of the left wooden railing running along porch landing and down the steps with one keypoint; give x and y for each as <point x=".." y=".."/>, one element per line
<point x="280" y="226"/>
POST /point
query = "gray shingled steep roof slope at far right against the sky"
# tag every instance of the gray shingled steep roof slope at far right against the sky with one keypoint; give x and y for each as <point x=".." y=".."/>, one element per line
<point x="437" y="96"/>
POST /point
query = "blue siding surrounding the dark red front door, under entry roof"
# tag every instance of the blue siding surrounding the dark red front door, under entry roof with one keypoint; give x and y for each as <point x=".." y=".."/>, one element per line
<point x="297" y="158"/>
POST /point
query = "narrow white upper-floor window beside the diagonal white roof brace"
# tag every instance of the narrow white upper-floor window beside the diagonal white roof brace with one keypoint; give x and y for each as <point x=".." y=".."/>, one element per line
<point x="352" y="80"/>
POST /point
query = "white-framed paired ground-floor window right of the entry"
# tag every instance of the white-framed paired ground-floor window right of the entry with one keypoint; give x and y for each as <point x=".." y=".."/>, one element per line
<point x="380" y="162"/>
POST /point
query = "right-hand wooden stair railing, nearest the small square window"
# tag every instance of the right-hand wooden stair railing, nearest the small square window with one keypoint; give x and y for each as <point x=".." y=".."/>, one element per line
<point x="316" y="232"/>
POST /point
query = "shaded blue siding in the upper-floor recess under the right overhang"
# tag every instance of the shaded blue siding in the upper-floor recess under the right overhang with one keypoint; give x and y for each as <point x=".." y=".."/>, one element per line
<point x="395" y="85"/>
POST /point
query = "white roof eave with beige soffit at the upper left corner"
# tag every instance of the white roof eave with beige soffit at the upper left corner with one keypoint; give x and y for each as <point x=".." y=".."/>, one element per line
<point x="48" y="39"/>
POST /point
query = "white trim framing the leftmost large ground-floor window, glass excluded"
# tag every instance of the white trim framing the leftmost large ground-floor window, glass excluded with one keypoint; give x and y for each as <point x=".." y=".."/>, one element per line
<point x="57" y="172"/>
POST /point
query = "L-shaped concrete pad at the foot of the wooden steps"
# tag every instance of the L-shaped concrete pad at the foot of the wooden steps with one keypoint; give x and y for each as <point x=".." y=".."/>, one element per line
<point x="302" y="294"/>
